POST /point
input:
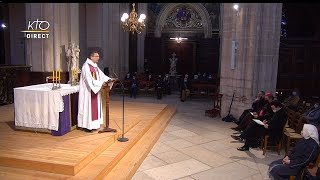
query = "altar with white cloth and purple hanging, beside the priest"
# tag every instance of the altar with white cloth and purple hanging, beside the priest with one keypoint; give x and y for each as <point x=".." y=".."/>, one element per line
<point x="39" y="107"/>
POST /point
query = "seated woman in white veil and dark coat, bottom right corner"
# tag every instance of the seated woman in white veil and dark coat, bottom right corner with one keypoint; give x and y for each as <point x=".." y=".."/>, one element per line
<point x="305" y="151"/>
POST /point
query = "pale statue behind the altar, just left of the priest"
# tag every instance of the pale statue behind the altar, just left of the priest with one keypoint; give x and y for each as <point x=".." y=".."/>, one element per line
<point x="73" y="56"/>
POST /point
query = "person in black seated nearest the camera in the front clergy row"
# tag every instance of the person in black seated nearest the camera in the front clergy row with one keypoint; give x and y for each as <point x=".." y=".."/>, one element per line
<point x="273" y="127"/>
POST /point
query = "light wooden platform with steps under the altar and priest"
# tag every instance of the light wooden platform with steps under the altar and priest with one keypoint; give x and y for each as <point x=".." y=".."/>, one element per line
<point x="81" y="155"/>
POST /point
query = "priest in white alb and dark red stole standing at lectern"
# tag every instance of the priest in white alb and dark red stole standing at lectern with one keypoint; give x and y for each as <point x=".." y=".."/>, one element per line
<point x="92" y="80"/>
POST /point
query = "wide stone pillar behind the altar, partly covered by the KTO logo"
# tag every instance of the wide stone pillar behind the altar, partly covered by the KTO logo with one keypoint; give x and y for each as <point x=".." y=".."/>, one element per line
<point x="45" y="55"/>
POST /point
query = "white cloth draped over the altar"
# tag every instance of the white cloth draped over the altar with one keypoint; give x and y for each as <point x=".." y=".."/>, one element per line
<point x="38" y="106"/>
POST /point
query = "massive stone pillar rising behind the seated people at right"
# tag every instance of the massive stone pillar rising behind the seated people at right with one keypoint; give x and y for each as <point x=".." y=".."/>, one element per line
<point x="256" y="30"/>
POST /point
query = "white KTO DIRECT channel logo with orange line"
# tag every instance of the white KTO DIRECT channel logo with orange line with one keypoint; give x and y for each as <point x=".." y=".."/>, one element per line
<point x="37" y="29"/>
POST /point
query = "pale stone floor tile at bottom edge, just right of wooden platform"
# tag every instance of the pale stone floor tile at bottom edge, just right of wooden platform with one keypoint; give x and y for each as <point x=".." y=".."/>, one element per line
<point x="177" y="170"/>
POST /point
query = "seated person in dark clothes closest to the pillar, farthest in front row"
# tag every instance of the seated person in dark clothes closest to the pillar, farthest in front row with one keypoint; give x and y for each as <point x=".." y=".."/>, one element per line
<point x="257" y="105"/>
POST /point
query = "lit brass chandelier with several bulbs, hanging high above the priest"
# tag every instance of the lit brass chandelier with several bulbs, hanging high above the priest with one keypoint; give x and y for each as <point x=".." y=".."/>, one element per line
<point x="132" y="23"/>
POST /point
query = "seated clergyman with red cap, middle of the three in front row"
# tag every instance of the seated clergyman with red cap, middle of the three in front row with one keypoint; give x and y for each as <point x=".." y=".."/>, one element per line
<point x="264" y="113"/>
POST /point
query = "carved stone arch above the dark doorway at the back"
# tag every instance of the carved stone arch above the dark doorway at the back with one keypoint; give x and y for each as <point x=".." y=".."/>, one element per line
<point x="198" y="7"/>
